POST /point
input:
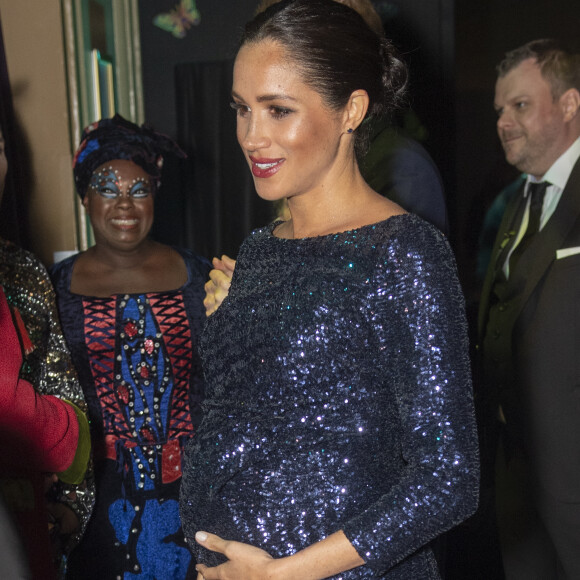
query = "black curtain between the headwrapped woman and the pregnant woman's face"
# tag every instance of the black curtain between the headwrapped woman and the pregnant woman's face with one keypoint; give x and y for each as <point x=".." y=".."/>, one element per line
<point x="217" y="205"/>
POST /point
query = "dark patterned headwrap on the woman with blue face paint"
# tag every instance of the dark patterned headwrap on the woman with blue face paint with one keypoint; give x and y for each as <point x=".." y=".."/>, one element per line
<point x="117" y="138"/>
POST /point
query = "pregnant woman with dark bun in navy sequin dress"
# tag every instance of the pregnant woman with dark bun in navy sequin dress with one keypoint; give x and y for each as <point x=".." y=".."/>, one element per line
<point x="338" y="437"/>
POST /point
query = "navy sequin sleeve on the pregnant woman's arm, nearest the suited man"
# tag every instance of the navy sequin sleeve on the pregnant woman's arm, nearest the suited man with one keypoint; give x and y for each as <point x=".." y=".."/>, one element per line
<point x="417" y="289"/>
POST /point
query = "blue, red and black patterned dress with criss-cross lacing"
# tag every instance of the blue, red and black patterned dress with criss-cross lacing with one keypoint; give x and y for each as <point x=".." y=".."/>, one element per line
<point x="137" y="360"/>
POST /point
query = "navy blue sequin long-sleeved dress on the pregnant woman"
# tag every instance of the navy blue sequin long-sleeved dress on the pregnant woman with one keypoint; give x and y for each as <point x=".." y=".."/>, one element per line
<point x="338" y="397"/>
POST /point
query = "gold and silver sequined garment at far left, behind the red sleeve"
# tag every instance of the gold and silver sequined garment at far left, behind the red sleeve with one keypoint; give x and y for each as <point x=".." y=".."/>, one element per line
<point x="48" y="367"/>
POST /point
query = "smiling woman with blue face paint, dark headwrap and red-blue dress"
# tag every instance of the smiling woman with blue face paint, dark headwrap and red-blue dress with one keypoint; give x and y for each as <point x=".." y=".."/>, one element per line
<point x="132" y="311"/>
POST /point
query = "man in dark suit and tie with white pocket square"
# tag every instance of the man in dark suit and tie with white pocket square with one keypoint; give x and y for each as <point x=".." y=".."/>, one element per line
<point x="529" y="319"/>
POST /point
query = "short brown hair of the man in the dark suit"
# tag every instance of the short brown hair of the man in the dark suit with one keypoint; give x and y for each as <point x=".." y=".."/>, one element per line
<point x="558" y="65"/>
